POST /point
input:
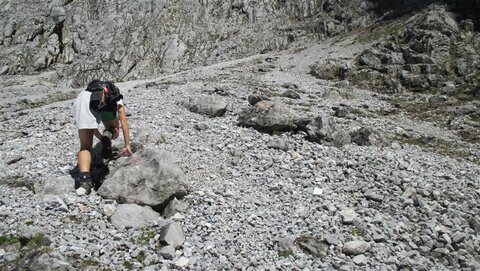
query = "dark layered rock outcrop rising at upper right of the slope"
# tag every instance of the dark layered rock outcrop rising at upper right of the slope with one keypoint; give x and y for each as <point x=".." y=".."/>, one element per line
<point x="431" y="51"/>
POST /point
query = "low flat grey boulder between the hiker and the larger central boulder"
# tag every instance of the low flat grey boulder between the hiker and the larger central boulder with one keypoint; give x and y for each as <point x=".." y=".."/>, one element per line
<point x="206" y="105"/>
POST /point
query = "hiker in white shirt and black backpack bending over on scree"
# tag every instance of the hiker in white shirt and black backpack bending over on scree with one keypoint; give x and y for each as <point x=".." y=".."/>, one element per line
<point x="101" y="101"/>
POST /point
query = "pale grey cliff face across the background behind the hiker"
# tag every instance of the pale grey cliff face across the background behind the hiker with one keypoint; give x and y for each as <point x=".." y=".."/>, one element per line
<point x="124" y="40"/>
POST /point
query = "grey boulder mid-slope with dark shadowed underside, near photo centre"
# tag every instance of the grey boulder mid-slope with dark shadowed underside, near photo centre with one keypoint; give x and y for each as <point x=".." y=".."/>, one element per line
<point x="267" y="116"/>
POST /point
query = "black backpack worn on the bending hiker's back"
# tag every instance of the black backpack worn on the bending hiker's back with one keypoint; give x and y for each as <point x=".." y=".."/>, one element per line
<point x="105" y="96"/>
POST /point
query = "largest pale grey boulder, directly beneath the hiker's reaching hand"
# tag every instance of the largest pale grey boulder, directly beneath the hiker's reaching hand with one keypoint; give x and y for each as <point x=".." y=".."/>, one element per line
<point x="149" y="177"/>
